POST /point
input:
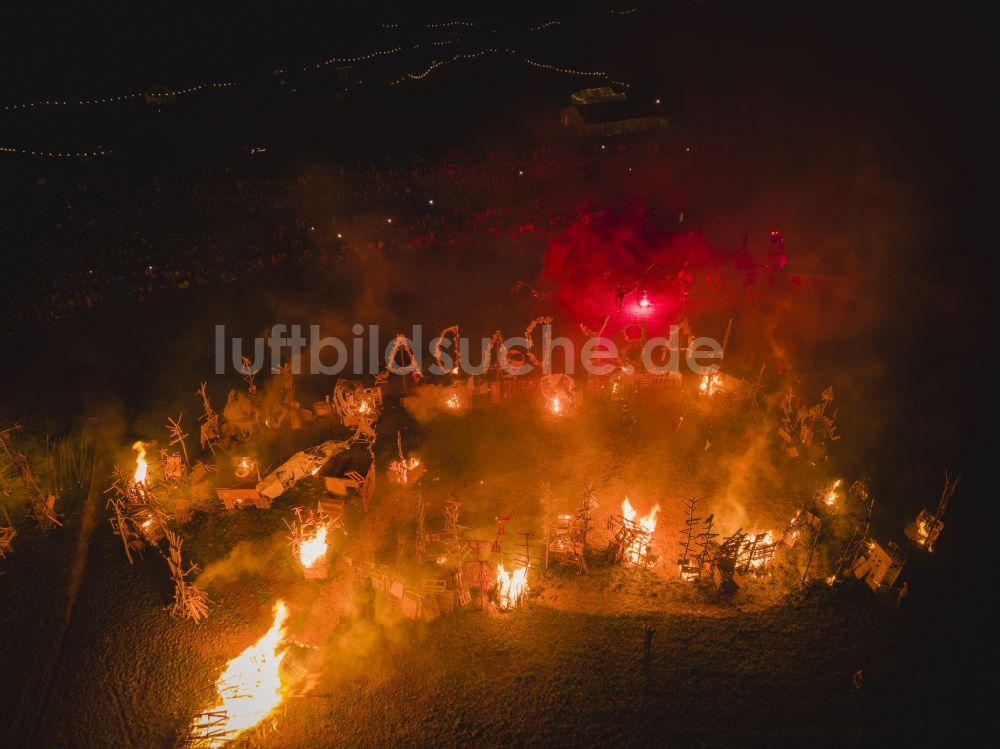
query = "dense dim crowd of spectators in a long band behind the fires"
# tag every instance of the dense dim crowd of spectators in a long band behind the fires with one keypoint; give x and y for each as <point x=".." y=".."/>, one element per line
<point x="80" y="247"/>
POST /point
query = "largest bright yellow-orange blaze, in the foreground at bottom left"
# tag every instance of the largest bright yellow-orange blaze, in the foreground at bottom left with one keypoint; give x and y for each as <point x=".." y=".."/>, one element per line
<point x="250" y="688"/>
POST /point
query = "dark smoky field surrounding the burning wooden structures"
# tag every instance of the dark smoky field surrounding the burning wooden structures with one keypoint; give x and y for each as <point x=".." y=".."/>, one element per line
<point x="394" y="190"/>
